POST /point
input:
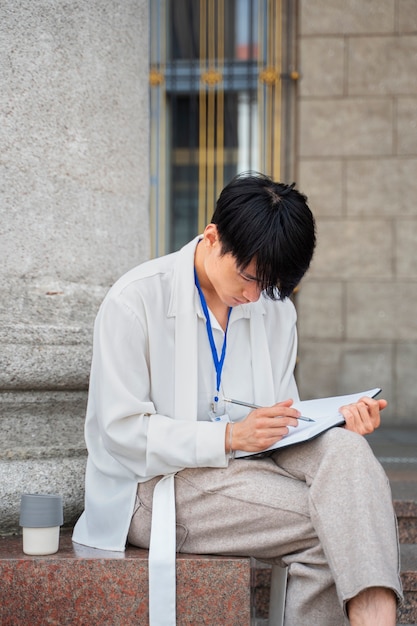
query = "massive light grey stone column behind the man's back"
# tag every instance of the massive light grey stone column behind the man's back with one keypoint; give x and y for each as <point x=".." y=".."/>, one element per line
<point x="74" y="217"/>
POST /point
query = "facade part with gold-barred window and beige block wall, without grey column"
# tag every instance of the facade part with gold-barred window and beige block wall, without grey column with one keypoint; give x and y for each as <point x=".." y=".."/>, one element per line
<point x="320" y="92"/>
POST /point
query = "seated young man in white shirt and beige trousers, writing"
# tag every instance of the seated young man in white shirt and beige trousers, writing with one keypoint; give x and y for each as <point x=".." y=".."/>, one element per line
<point x="173" y="338"/>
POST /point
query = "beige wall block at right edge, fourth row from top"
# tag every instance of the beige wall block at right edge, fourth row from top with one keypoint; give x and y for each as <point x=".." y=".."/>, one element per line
<point x="385" y="186"/>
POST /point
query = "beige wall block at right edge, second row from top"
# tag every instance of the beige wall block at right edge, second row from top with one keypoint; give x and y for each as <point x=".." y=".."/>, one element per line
<point x="382" y="65"/>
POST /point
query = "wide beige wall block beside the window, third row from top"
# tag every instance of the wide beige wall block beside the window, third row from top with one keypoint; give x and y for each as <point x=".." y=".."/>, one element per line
<point x="348" y="127"/>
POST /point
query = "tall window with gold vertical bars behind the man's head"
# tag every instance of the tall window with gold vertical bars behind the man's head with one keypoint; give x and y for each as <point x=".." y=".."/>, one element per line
<point x="216" y="86"/>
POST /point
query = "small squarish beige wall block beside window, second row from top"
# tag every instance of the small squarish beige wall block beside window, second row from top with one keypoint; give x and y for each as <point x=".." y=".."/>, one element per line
<point x="322" y="66"/>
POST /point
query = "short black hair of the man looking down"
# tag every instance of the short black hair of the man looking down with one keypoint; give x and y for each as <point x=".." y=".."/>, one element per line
<point x="270" y="222"/>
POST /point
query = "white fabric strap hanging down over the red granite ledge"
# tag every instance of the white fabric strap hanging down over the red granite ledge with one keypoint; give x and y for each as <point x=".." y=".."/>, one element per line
<point x="162" y="552"/>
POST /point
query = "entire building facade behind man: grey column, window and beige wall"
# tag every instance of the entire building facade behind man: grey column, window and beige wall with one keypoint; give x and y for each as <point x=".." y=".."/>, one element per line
<point x="317" y="91"/>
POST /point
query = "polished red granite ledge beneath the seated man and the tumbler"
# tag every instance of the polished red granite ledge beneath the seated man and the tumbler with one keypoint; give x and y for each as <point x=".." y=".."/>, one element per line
<point x="80" y="585"/>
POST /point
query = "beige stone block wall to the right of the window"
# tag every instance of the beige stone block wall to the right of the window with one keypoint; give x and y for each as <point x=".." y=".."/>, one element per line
<point x="357" y="162"/>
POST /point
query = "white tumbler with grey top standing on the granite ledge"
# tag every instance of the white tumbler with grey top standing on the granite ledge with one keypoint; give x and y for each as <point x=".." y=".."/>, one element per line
<point x="41" y="515"/>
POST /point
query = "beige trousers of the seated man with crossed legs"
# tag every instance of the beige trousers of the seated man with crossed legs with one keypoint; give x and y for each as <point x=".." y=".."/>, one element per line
<point x="323" y="508"/>
